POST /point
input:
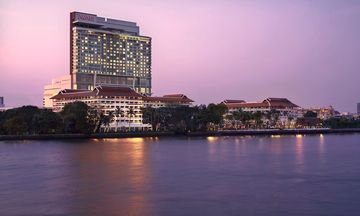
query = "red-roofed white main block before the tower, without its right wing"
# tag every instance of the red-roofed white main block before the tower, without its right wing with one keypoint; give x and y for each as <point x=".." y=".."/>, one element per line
<point x="123" y="102"/>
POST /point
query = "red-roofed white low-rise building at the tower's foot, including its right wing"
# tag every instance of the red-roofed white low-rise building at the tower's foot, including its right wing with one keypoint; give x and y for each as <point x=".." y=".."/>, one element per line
<point x="124" y="102"/>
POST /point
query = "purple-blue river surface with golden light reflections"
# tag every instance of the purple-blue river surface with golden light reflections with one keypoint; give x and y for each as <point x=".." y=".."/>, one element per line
<point x="287" y="175"/>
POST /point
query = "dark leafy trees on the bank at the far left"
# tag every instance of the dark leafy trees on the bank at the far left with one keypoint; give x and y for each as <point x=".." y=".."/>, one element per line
<point x="75" y="117"/>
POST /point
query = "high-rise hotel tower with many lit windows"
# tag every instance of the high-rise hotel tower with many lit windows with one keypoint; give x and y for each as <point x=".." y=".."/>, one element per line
<point x="108" y="51"/>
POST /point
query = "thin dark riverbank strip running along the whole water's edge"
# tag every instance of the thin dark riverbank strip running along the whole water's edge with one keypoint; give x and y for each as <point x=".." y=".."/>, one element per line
<point x="191" y="134"/>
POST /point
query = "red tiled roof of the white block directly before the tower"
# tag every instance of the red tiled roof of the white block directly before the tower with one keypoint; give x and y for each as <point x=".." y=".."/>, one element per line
<point x="98" y="91"/>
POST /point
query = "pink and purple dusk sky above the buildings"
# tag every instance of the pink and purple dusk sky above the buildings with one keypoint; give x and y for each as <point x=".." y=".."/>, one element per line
<point x="306" y="51"/>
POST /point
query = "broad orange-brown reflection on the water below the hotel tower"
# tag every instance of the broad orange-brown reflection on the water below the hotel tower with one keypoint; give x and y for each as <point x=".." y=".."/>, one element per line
<point x="104" y="170"/>
